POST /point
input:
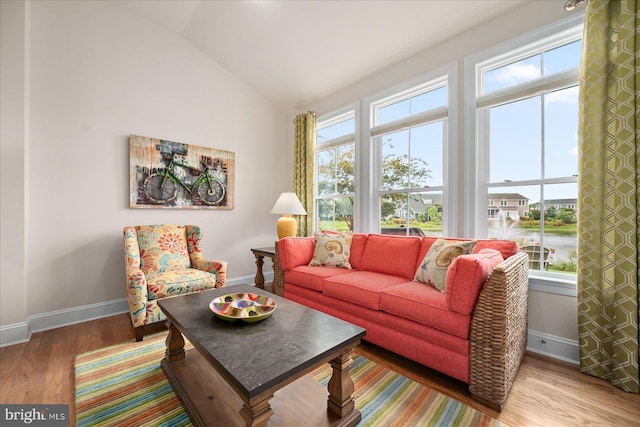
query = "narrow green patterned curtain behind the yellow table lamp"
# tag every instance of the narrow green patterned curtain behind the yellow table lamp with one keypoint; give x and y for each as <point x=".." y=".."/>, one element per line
<point x="303" y="168"/>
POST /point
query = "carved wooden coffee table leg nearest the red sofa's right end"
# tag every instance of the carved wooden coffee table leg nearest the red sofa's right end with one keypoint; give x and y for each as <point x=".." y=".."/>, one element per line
<point x="341" y="389"/>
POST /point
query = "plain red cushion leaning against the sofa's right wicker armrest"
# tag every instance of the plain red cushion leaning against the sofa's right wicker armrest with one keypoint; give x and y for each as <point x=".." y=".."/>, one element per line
<point x="466" y="277"/>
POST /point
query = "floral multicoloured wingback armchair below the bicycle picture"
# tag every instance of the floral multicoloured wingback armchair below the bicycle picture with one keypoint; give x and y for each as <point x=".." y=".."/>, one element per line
<point x="164" y="261"/>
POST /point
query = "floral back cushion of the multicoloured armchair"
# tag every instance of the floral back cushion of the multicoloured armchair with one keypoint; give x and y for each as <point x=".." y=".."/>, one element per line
<point x="162" y="248"/>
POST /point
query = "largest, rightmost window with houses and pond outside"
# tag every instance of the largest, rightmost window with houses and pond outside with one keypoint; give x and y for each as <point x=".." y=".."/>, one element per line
<point x="526" y="116"/>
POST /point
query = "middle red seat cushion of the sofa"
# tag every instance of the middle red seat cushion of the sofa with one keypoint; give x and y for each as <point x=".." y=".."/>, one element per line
<point x="360" y="287"/>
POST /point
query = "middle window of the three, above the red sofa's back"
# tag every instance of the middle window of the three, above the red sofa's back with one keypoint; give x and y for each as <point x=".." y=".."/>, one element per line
<point x="409" y="135"/>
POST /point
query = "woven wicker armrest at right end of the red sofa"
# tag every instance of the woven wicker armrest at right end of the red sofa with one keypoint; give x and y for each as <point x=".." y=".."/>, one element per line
<point x="498" y="336"/>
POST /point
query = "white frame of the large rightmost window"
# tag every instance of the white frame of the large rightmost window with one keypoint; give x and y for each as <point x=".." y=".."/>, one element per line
<point x="477" y="185"/>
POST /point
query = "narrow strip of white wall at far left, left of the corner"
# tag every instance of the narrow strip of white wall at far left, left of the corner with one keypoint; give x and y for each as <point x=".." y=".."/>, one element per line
<point x="13" y="137"/>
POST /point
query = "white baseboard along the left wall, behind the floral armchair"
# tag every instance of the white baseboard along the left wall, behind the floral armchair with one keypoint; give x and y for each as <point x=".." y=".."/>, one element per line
<point x="17" y="333"/>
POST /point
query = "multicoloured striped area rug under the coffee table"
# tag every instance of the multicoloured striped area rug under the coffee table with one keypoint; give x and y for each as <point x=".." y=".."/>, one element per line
<point x="123" y="385"/>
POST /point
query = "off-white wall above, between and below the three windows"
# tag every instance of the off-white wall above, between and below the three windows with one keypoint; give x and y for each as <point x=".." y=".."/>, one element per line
<point x="552" y="318"/>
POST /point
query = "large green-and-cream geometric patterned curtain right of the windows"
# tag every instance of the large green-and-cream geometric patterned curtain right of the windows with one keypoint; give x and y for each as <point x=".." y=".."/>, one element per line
<point x="609" y="193"/>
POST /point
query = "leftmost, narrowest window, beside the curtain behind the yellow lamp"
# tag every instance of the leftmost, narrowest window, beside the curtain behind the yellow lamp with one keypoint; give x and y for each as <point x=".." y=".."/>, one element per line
<point x="335" y="172"/>
